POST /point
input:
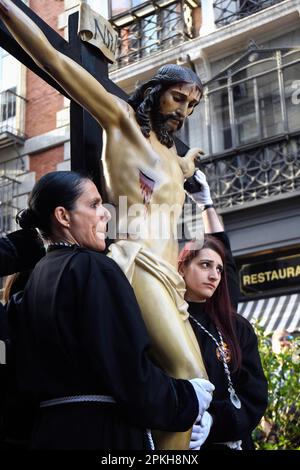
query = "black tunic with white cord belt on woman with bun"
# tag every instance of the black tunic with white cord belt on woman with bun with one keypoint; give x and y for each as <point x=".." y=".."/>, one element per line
<point x="79" y="331"/>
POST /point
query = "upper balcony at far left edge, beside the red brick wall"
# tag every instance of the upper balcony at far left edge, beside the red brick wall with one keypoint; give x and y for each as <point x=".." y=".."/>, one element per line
<point x="12" y="118"/>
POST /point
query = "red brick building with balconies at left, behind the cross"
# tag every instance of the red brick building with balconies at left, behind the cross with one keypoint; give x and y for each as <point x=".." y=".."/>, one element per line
<point x="32" y="126"/>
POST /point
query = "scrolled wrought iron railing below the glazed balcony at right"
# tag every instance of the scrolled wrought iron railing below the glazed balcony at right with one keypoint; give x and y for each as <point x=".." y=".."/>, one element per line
<point x="259" y="172"/>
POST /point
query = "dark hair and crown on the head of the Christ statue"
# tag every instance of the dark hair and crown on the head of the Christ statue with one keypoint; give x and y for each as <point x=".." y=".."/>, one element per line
<point x="146" y="106"/>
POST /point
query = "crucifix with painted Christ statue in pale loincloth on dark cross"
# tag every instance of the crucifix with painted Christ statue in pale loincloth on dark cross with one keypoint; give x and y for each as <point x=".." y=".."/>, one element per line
<point x="140" y="162"/>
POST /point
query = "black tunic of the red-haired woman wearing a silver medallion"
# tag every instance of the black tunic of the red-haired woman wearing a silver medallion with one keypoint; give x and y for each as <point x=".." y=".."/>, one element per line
<point x="231" y="424"/>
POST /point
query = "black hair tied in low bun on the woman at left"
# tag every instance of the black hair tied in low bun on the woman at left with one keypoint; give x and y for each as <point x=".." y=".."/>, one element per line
<point x="58" y="188"/>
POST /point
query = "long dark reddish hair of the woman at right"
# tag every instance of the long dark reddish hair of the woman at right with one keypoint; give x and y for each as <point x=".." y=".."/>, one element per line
<point x="218" y="307"/>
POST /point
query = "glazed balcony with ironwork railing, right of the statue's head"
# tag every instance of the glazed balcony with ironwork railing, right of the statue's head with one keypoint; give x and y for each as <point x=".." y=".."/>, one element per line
<point x="251" y="126"/>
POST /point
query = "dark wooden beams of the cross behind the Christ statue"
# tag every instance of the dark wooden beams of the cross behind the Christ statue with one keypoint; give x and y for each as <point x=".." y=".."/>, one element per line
<point x="85" y="132"/>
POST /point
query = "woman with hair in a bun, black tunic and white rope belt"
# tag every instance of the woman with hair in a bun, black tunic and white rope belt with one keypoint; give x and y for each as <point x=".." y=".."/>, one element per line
<point x="79" y="340"/>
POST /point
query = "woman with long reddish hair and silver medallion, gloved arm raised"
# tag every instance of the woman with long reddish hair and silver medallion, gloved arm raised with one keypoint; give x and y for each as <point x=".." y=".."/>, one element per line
<point x="227" y="340"/>
